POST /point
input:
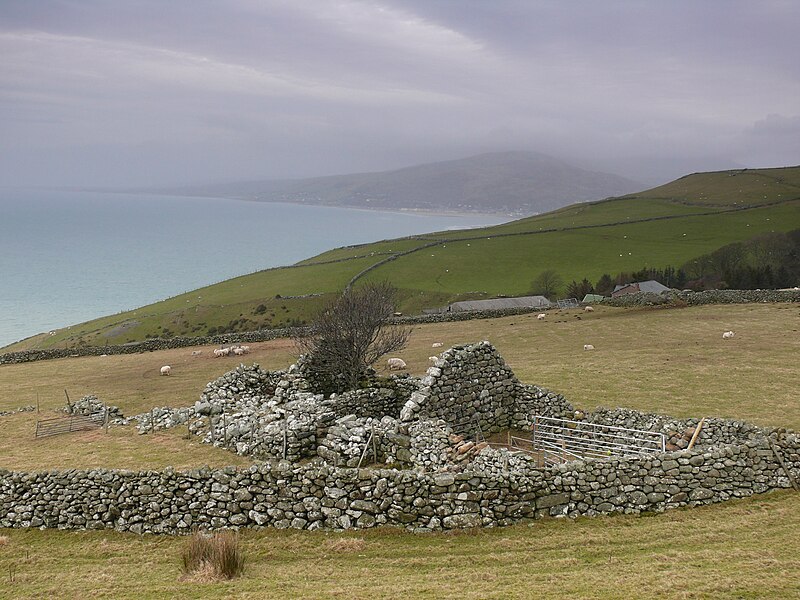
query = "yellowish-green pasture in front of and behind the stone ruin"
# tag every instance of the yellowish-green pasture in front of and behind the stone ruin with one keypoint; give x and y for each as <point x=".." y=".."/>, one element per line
<point x="669" y="360"/>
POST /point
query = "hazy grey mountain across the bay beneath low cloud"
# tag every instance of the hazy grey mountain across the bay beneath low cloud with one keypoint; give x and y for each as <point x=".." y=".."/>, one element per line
<point x="519" y="183"/>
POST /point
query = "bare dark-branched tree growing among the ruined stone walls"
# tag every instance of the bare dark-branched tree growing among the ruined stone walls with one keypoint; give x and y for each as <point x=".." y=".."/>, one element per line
<point x="351" y="334"/>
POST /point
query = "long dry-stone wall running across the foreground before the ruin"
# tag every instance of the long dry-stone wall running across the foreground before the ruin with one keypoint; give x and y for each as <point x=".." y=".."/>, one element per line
<point x="318" y="496"/>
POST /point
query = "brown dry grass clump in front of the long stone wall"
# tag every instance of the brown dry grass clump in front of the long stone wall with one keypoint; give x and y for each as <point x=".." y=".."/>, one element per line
<point x="212" y="557"/>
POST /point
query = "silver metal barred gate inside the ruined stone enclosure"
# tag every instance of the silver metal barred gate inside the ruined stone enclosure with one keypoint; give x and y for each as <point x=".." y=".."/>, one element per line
<point x="562" y="440"/>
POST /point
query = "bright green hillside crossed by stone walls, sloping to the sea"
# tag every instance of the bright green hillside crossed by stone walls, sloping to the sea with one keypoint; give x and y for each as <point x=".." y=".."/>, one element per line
<point x="654" y="228"/>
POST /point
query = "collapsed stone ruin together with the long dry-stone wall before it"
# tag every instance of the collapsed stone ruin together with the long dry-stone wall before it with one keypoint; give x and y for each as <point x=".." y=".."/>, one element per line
<point x="439" y="479"/>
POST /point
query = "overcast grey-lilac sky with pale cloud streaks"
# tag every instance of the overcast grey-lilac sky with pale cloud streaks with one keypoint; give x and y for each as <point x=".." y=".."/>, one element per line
<point x="153" y="92"/>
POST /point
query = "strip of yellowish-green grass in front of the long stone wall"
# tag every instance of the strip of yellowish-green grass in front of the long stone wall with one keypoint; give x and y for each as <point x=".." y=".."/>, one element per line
<point x="741" y="549"/>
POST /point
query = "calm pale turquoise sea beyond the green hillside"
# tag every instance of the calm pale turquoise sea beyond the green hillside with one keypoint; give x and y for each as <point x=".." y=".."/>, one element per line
<point x="67" y="257"/>
